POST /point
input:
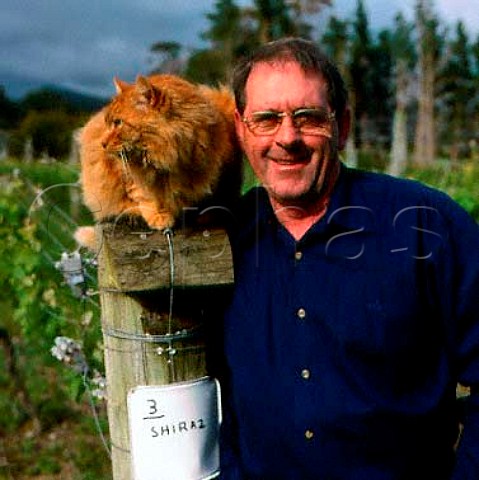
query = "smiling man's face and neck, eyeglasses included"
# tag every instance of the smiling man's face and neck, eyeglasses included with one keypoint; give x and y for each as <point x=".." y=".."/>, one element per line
<point x="290" y="134"/>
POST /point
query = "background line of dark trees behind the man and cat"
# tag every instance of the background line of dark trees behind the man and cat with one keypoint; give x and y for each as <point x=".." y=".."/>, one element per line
<point x="414" y="85"/>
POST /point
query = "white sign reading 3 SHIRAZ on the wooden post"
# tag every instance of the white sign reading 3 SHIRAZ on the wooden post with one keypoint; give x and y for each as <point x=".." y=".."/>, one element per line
<point x="174" y="430"/>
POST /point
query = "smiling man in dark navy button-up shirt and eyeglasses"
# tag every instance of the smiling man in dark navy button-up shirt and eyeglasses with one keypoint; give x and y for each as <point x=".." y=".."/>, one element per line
<point x="356" y="306"/>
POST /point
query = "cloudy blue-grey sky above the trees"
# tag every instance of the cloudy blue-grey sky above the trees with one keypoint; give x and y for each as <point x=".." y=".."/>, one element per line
<point x="84" y="44"/>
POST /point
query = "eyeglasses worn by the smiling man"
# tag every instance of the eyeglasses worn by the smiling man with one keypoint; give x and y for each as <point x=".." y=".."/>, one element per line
<point x="308" y="121"/>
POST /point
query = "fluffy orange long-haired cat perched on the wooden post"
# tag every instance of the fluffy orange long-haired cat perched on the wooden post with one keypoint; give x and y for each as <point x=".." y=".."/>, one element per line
<point x="161" y="144"/>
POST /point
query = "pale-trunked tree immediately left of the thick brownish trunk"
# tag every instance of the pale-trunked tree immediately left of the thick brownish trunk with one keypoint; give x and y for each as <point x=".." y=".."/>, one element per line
<point x="403" y="53"/>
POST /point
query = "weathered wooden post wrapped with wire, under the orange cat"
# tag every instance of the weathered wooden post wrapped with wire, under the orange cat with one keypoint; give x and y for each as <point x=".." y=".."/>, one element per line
<point x="153" y="290"/>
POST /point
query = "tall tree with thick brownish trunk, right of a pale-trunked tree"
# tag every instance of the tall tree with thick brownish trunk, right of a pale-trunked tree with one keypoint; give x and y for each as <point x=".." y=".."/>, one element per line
<point x="428" y="54"/>
